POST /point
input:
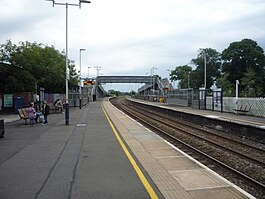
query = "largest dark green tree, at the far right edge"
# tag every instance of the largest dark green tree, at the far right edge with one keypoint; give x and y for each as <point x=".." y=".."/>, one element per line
<point x="245" y="61"/>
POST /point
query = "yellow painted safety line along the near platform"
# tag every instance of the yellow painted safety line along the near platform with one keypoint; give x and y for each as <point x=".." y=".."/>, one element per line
<point x="140" y="174"/>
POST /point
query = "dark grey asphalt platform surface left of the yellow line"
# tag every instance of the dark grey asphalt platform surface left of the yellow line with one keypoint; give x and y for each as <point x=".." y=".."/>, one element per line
<point x="81" y="160"/>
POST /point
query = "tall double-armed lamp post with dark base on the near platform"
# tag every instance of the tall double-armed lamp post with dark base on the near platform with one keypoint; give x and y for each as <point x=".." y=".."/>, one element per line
<point x="66" y="54"/>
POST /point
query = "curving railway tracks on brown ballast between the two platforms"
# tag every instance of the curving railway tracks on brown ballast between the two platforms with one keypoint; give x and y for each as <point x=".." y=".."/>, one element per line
<point x="242" y="163"/>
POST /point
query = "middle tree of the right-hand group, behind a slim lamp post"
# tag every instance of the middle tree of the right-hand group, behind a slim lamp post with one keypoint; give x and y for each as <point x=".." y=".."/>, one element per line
<point x="213" y="64"/>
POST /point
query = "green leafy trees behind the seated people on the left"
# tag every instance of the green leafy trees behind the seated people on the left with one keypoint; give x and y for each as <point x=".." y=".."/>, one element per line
<point x="30" y="65"/>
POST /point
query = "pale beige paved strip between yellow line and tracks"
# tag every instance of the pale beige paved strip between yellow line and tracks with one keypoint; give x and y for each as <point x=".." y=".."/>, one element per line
<point x="176" y="174"/>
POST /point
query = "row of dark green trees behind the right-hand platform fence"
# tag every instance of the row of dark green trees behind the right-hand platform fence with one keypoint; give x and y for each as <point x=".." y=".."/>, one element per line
<point x="243" y="61"/>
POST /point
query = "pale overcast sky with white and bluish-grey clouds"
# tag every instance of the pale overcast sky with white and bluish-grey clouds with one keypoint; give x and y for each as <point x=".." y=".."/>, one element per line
<point x="126" y="37"/>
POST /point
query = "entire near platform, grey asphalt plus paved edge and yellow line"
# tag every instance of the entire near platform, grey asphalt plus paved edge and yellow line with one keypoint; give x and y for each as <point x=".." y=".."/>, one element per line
<point x="101" y="154"/>
